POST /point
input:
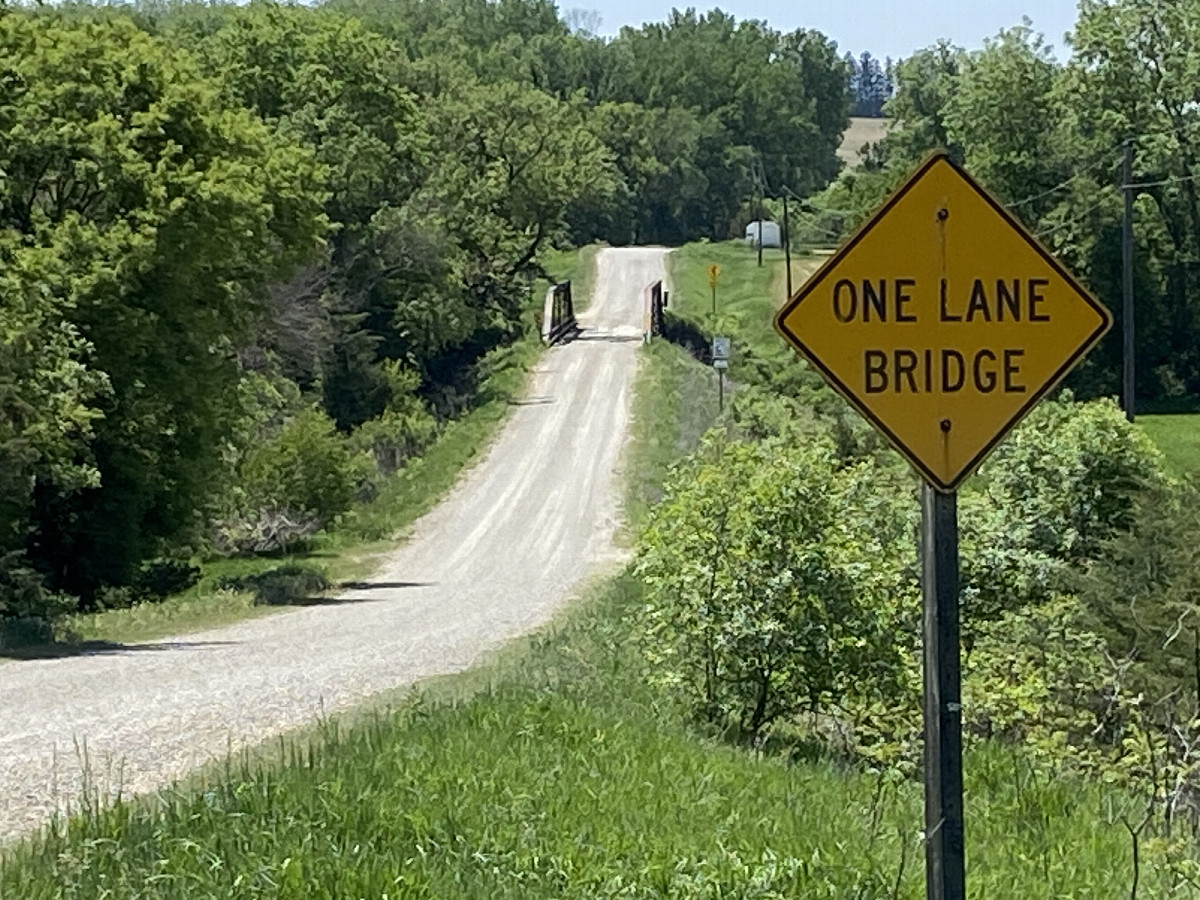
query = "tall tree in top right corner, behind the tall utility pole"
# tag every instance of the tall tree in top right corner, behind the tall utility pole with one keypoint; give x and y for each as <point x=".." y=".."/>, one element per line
<point x="1131" y="80"/>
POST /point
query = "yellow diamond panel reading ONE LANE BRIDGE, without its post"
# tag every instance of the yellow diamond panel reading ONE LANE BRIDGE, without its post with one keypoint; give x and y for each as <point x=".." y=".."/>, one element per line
<point x="944" y="321"/>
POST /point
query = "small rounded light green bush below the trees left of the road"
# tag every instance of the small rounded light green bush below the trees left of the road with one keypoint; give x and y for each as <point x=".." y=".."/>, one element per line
<point x="309" y="470"/>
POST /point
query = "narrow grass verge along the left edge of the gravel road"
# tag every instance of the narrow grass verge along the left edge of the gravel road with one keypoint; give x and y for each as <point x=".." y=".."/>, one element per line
<point x="352" y="547"/>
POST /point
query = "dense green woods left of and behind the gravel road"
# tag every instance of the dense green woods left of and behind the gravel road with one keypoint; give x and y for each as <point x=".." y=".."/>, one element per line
<point x="251" y="256"/>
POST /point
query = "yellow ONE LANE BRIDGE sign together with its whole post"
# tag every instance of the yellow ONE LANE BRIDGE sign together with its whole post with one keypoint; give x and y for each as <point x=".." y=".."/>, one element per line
<point x="944" y="322"/>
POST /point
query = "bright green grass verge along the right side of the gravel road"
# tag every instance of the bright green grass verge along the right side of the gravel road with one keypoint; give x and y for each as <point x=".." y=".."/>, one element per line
<point x="556" y="772"/>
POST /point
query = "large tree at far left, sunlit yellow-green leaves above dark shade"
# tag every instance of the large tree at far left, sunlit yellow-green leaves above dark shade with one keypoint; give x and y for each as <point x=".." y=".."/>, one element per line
<point x="161" y="215"/>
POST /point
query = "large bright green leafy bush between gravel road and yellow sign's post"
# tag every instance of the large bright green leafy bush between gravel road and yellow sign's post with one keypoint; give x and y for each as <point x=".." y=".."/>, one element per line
<point x="764" y="585"/>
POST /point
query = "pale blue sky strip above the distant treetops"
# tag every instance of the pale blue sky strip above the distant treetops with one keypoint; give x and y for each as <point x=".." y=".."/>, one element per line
<point x="886" y="28"/>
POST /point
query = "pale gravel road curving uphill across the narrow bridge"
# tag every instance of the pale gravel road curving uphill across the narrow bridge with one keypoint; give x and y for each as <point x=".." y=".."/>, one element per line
<point x="496" y="560"/>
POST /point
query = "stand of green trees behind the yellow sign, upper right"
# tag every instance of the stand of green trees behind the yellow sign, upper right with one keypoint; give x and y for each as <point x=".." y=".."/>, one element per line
<point x="1047" y="137"/>
